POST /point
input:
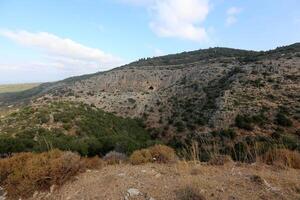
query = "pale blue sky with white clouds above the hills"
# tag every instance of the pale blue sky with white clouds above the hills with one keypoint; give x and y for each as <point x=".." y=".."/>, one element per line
<point x="49" y="40"/>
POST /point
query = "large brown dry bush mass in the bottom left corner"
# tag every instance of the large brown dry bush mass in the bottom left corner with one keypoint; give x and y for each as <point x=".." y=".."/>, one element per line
<point x="25" y="173"/>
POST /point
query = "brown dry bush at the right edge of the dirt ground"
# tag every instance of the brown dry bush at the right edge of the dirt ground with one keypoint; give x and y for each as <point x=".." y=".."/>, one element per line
<point x="282" y="158"/>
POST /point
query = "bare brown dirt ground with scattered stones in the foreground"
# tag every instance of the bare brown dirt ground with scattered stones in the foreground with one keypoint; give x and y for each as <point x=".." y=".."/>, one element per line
<point x="154" y="182"/>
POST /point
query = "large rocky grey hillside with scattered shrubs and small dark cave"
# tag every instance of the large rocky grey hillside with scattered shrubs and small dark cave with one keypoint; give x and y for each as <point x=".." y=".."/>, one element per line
<point x="193" y="93"/>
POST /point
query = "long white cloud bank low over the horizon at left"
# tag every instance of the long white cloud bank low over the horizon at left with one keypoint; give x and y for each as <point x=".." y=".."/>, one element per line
<point x="61" y="57"/>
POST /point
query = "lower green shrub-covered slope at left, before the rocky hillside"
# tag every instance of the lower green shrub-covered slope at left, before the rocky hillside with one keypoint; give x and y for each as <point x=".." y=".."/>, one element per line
<point x="70" y="126"/>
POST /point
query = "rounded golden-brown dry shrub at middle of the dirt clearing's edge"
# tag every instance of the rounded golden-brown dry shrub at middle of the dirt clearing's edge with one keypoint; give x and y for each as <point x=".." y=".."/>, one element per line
<point x="157" y="153"/>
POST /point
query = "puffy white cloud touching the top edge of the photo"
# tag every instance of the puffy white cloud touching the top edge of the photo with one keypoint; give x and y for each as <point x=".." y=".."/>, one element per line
<point x="177" y="18"/>
